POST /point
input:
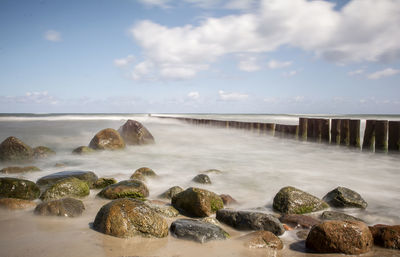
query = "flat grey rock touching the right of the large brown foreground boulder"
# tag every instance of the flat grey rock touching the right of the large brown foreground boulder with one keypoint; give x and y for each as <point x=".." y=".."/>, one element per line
<point x="197" y="231"/>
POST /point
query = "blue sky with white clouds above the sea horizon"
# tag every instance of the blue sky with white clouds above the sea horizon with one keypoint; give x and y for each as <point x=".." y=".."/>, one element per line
<point x="200" y="56"/>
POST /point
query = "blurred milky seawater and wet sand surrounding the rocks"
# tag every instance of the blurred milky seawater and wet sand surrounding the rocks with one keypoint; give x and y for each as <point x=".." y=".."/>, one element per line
<point x="254" y="168"/>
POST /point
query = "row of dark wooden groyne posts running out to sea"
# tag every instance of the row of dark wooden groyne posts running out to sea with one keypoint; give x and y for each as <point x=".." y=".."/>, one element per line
<point x="379" y="135"/>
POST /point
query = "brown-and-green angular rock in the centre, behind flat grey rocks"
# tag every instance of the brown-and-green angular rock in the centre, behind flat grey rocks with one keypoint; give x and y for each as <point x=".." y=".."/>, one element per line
<point x="197" y="202"/>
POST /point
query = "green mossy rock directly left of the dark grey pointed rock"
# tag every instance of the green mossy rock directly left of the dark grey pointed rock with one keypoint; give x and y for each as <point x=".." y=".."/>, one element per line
<point x="291" y="200"/>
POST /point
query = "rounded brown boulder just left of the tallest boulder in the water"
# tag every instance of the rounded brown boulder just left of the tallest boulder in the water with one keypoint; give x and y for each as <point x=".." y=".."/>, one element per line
<point x="107" y="139"/>
